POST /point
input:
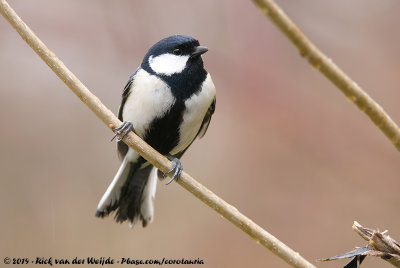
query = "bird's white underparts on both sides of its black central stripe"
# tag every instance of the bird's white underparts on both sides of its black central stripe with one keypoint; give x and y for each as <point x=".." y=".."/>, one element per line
<point x="152" y="98"/>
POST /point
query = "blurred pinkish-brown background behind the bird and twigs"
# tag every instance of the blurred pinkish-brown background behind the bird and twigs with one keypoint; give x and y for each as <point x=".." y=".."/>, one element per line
<point x="285" y="146"/>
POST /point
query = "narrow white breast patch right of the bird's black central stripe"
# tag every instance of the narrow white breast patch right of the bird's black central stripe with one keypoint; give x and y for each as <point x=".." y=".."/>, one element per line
<point x="196" y="108"/>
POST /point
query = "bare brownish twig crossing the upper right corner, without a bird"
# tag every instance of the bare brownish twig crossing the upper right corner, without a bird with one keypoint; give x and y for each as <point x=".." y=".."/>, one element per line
<point x="326" y="66"/>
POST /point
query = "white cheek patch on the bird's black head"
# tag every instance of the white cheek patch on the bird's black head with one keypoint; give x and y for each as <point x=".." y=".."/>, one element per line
<point x="168" y="64"/>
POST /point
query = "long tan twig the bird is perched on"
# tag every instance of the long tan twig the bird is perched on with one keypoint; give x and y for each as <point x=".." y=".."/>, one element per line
<point x="93" y="103"/>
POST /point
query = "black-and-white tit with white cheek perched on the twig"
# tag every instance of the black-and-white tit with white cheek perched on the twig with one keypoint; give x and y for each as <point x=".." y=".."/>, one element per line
<point x="168" y="102"/>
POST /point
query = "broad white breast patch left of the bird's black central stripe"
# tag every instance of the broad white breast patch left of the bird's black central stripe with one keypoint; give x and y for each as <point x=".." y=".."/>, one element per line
<point x="149" y="98"/>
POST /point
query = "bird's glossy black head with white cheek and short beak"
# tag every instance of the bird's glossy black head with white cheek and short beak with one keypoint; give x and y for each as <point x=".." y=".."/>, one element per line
<point x="177" y="61"/>
